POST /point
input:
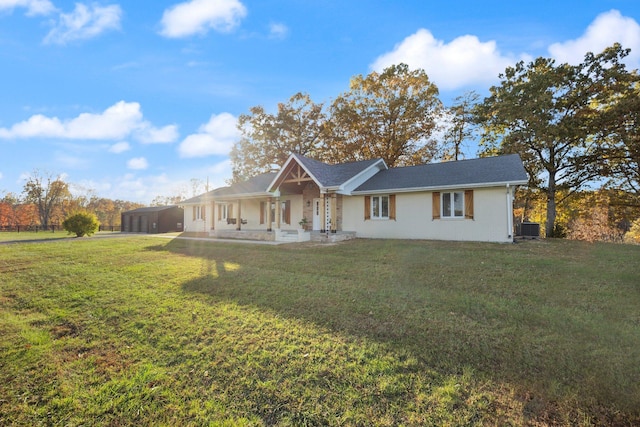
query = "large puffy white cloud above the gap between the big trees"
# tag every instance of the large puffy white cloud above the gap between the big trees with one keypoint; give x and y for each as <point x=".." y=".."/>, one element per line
<point x="462" y="62"/>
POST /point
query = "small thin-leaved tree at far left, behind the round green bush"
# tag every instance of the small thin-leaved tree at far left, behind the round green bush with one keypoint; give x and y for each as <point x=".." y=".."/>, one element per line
<point x="47" y="193"/>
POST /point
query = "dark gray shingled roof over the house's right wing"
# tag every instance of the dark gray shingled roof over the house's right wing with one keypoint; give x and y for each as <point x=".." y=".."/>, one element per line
<point x="488" y="170"/>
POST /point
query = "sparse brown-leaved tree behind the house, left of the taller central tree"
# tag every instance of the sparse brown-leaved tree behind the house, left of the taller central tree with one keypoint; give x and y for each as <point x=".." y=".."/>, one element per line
<point x="268" y="139"/>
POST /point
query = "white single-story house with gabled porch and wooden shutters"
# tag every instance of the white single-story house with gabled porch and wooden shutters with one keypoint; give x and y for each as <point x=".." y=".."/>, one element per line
<point x="463" y="200"/>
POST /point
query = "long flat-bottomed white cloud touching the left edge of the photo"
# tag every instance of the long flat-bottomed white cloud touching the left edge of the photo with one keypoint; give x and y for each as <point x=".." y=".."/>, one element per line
<point x="116" y="122"/>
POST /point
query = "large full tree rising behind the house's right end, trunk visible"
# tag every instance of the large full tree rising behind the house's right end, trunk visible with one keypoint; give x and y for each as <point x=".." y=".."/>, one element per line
<point x="551" y="115"/>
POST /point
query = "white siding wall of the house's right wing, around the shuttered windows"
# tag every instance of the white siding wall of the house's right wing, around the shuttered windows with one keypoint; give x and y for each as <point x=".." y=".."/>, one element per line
<point x="414" y="218"/>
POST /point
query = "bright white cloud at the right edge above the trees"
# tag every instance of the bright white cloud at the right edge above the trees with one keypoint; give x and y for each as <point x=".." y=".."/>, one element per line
<point x="608" y="28"/>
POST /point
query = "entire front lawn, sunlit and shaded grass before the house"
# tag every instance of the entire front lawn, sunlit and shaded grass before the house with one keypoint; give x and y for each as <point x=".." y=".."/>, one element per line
<point x="143" y="331"/>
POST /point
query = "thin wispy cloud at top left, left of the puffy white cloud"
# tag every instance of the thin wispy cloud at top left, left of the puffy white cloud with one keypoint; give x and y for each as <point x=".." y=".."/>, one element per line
<point x="84" y="22"/>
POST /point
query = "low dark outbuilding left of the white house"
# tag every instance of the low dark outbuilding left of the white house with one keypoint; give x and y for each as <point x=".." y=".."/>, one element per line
<point x="155" y="219"/>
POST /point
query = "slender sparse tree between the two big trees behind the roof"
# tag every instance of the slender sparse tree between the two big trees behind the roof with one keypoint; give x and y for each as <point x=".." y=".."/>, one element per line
<point x="460" y="125"/>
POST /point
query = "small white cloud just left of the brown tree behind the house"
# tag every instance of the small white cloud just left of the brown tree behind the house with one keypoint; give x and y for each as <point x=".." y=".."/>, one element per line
<point x="214" y="138"/>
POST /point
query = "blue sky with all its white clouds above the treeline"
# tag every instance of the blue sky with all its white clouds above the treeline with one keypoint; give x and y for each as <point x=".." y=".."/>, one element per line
<point x="134" y="99"/>
